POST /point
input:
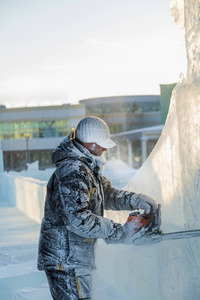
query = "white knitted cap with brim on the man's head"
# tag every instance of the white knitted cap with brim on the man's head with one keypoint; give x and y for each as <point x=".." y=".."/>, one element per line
<point x="94" y="130"/>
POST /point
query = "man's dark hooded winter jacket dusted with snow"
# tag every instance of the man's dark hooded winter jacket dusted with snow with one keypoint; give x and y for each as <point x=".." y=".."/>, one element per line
<point x="77" y="195"/>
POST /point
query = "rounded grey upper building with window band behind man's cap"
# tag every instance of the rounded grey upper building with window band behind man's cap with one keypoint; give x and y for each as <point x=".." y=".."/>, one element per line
<point x="123" y="113"/>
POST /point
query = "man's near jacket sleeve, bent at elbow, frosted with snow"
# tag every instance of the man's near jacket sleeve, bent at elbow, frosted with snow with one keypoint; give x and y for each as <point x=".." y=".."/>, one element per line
<point x="74" y="196"/>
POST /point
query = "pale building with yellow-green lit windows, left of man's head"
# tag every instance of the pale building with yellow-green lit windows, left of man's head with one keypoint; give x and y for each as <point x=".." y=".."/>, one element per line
<point x="31" y="133"/>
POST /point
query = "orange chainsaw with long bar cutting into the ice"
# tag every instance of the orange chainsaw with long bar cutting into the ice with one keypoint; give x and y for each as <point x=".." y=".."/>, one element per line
<point x="142" y="220"/>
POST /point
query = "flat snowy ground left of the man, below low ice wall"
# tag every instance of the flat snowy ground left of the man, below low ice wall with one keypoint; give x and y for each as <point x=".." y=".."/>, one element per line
<point x="18" y="252"/>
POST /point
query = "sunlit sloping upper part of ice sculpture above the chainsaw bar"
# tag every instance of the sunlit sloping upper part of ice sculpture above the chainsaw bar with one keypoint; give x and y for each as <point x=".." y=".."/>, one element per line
<point x="172" y="172"/>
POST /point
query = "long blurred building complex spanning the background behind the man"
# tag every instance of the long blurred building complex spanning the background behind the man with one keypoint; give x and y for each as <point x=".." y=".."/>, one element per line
<point x="32" y="133"/>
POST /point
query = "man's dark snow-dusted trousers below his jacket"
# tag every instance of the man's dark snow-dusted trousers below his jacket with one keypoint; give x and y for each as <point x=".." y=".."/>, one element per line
<point x="69" y="285"/>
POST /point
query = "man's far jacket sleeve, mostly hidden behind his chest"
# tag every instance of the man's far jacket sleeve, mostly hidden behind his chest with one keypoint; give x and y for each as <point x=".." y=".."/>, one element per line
<point x="118" y="199"/>
